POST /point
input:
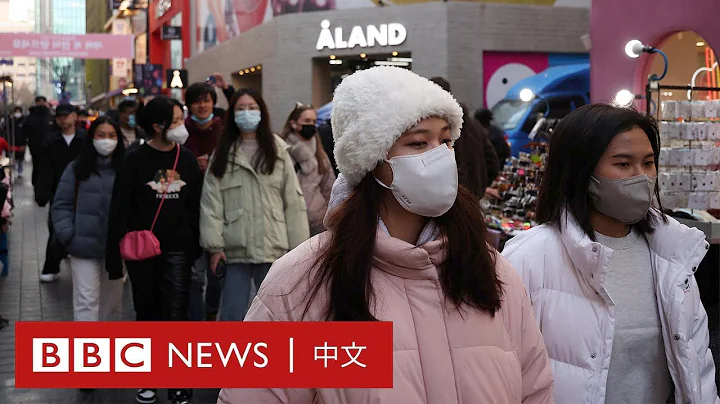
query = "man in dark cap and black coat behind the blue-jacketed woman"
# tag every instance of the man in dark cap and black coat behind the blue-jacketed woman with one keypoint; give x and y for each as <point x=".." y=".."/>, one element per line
<point x="61" y="148"/>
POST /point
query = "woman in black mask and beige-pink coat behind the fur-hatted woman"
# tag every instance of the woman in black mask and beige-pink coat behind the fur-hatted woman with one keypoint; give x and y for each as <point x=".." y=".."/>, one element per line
<point x="312" y="164"/>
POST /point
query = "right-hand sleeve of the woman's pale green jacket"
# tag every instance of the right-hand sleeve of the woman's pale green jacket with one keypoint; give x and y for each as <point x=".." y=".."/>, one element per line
<point x="296" y="219"/>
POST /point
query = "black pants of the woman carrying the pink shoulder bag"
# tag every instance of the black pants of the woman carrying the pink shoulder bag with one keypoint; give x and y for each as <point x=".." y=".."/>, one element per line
<point x="161" y="287"/>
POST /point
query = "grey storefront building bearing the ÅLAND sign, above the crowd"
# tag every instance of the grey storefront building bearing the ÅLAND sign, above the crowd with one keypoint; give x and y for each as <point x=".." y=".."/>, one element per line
<point x="301" y="57"/>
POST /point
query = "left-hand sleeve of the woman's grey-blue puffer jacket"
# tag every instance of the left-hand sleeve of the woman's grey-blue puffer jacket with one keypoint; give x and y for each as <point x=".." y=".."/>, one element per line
<point x="63" y="207"/>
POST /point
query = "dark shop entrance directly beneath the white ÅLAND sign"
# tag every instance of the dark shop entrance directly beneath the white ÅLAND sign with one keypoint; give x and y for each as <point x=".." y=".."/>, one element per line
<point x="328" y="72"/>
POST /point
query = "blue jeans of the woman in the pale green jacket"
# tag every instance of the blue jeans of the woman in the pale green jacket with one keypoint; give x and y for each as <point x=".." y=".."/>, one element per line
<point x="236" y="289"/>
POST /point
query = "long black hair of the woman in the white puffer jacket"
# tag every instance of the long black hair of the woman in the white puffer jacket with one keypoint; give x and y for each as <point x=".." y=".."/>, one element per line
<point x="576" y="145"/>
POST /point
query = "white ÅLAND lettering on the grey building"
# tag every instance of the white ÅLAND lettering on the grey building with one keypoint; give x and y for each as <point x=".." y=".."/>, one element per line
<point x="392" y="34"/>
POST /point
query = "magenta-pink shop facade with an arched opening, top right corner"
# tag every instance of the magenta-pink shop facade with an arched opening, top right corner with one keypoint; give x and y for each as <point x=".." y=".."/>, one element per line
<point x="653" y="22"/>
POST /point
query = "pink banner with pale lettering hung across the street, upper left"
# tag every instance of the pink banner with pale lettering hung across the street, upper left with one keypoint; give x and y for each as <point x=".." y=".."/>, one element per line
<point x="90" y="46"/>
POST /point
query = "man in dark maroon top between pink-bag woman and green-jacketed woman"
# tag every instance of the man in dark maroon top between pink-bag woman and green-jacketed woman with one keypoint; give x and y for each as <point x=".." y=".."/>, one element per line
<point x="204" y="128"/>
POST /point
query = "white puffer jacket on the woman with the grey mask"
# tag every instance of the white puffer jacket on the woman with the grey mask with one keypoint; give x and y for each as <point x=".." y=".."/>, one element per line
<point x="564" y="272"/>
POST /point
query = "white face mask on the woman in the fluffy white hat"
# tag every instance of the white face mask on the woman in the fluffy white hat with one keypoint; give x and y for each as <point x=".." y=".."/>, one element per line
<point x="425" y="184"/>
